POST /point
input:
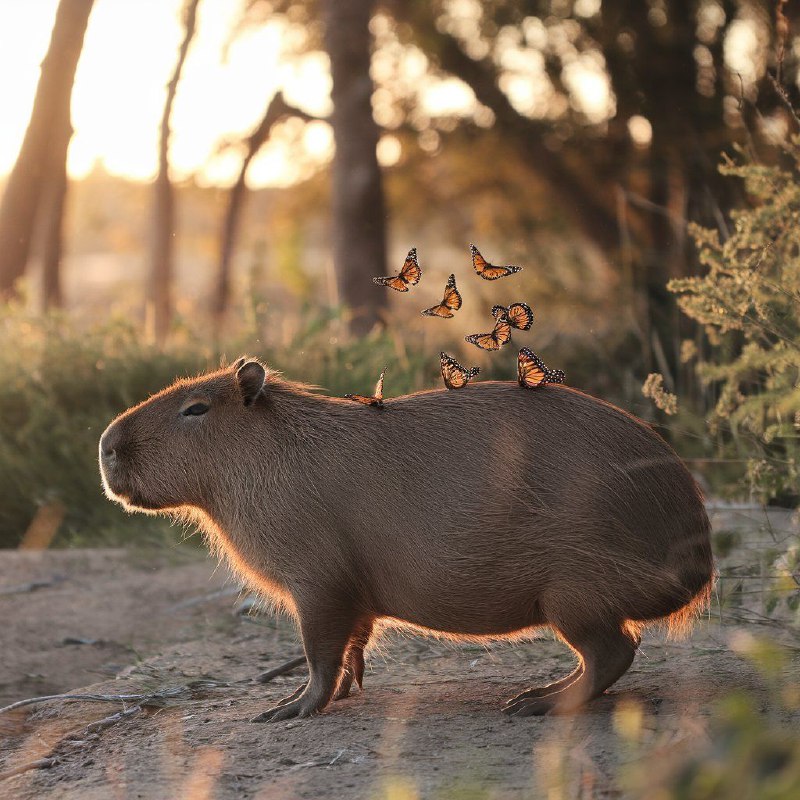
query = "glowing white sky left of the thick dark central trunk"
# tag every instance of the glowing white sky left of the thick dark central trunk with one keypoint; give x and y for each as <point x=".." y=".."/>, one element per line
<point x="130" y="51"/>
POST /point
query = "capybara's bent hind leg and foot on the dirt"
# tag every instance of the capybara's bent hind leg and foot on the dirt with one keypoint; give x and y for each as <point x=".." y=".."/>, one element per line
<point x="605" y="654"/>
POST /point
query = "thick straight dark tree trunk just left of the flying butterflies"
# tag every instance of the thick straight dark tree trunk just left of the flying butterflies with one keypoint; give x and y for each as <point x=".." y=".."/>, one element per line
<point x="359" y="216"/>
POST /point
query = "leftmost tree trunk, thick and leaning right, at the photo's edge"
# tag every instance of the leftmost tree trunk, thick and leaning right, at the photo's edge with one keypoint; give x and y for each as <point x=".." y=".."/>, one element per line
<point x="41" y="150"/>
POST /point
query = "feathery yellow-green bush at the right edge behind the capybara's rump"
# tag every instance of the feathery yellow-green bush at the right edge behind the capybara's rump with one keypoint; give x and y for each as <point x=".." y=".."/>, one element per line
<point x="748" y="303"/>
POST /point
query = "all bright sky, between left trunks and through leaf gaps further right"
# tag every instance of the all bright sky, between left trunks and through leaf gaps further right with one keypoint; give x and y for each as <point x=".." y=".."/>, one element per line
<point x="128" y="57"/>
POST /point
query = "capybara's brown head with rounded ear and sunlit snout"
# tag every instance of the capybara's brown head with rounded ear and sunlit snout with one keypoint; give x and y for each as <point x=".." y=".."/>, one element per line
<point x="163" y="453"/>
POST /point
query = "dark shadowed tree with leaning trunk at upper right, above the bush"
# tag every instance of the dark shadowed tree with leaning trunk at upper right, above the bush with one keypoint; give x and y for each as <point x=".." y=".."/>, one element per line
<point x="666" y="69"/>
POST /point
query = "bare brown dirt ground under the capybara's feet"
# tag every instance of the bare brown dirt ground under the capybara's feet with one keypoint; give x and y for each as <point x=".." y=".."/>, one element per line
<point x="428" y="723"/>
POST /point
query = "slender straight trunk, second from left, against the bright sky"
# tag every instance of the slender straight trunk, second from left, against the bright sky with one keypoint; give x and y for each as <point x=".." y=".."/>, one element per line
<point x="163" y="230"/>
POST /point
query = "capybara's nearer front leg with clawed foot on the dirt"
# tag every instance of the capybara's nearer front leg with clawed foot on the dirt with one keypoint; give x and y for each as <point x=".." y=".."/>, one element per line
<point x="326" y="635"/>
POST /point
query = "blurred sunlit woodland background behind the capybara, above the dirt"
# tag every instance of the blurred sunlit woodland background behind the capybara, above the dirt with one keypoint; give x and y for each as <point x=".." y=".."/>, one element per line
<point x="188" y="180"/>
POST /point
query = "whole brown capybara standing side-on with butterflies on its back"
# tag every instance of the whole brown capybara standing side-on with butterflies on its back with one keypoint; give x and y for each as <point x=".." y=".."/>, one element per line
<point x="480" y="513"/>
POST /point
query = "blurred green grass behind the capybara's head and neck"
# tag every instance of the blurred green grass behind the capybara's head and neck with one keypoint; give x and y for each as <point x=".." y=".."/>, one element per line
<point x="60" y="385"/>
